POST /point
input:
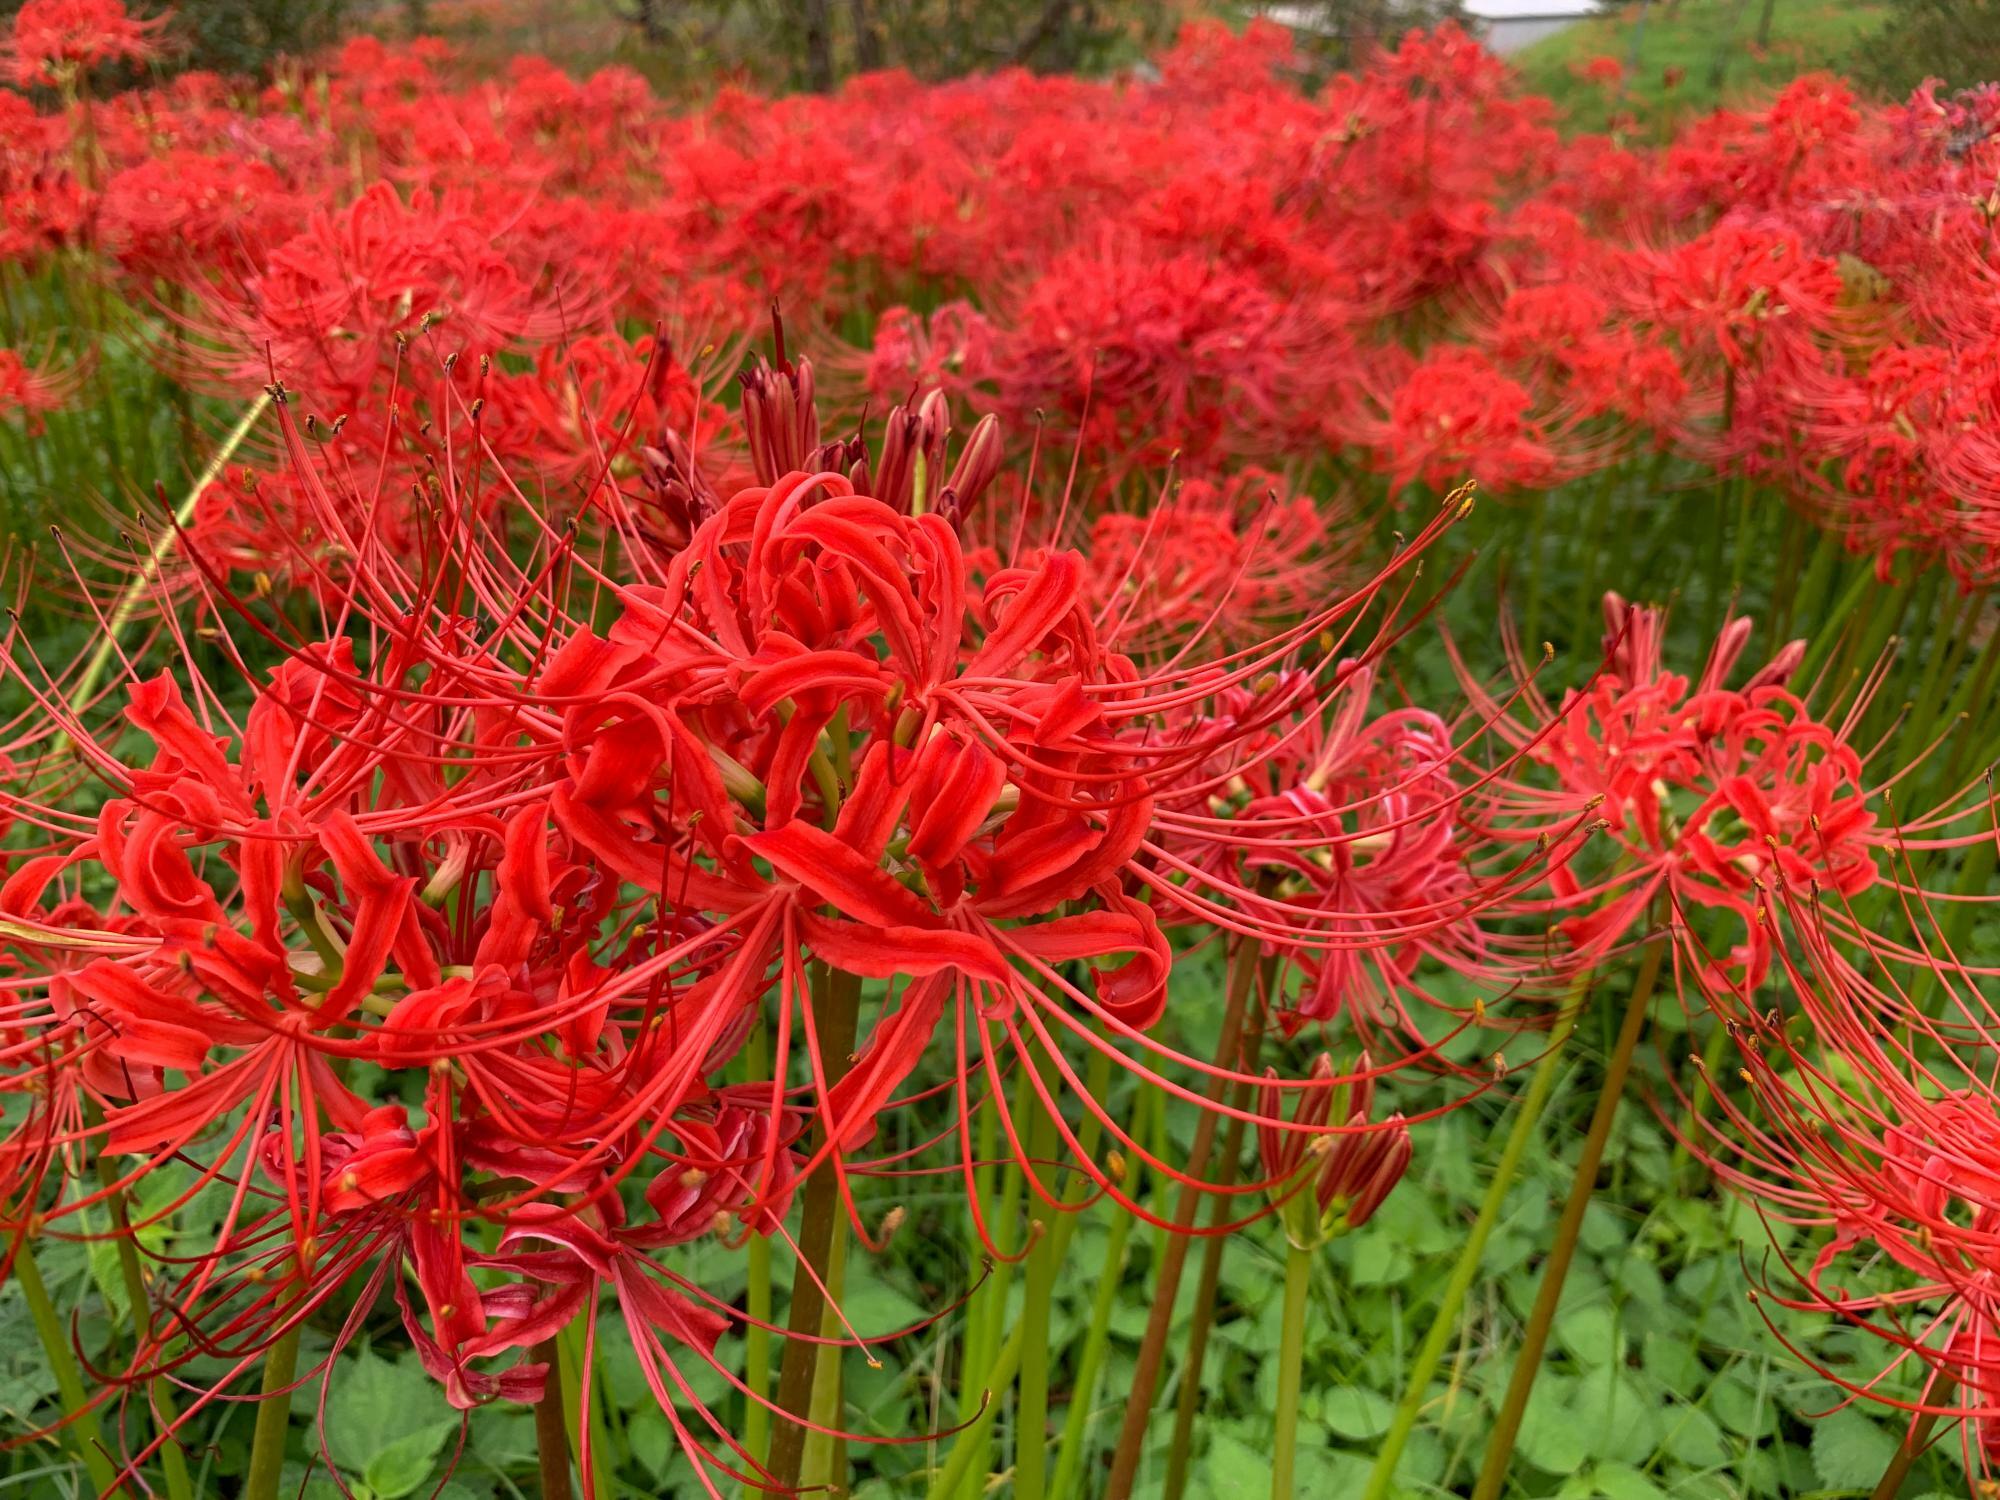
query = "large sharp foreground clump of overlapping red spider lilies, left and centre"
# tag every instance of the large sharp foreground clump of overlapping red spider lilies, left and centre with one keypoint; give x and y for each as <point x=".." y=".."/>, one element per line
<point x="439" y="957"/>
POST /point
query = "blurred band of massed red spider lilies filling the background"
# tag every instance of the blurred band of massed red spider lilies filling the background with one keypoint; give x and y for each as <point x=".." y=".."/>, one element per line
<point x="1215" y="267"/>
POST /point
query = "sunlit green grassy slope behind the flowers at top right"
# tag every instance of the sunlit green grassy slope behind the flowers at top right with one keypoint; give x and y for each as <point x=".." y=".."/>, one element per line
<point x="1711" y="43"/>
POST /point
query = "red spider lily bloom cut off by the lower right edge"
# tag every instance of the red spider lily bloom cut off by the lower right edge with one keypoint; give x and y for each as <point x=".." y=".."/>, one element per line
<point x="1869" y="1119"/>
